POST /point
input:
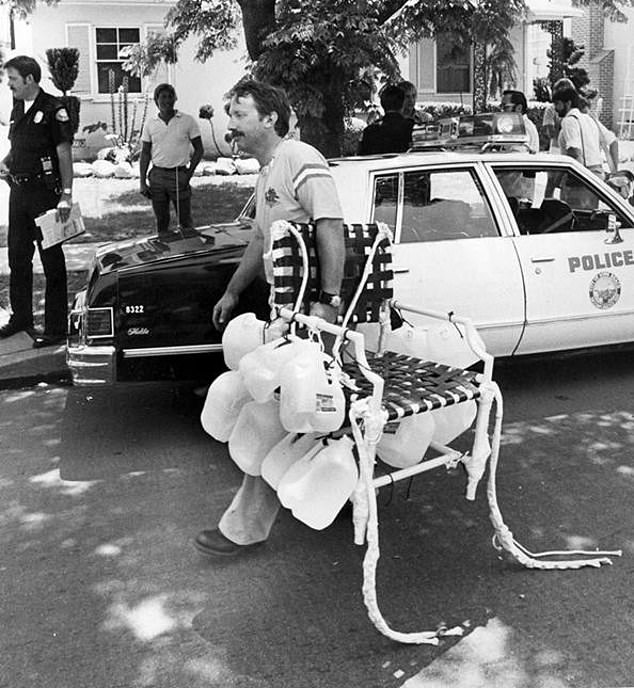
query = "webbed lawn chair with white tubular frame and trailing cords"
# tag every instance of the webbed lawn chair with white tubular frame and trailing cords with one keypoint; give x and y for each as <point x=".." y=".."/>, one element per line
<point x="384" y="387"/>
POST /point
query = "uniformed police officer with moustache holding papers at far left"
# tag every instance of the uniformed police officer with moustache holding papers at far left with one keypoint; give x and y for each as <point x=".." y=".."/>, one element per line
<point x="39" y="170"/>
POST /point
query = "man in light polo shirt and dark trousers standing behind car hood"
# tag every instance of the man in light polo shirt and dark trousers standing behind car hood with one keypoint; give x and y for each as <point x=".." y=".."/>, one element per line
<point x="167" y="139"/>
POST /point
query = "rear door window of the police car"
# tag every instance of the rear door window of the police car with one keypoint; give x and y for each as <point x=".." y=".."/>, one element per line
<point x="443" y="205"/>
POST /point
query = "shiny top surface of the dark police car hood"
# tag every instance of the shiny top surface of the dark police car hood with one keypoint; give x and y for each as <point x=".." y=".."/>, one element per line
<point x="142" y="251"/>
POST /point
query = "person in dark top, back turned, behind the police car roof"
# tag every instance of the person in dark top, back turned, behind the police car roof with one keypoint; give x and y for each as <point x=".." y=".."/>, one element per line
<point x="391" y="134"/>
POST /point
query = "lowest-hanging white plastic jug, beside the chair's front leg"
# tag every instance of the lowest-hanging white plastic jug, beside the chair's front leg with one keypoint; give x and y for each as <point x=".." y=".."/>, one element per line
<point x="317" y="486"/>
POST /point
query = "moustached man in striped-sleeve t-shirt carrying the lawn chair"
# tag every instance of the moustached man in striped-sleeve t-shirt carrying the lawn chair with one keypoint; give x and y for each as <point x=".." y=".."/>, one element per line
<point x="294" y="184"/>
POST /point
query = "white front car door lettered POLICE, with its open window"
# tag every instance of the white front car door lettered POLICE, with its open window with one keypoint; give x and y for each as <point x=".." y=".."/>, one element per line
<point x="579" y="274"/>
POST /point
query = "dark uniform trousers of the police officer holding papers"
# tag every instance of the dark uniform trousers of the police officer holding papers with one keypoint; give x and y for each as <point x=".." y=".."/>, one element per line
<point x="26" y="202"/>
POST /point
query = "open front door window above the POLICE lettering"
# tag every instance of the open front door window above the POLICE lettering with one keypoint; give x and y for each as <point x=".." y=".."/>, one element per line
<point x="546" y="201"/>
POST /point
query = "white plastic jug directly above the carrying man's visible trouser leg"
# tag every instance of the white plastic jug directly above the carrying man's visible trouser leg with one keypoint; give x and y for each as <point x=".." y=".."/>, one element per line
<point x="256" y="431"/>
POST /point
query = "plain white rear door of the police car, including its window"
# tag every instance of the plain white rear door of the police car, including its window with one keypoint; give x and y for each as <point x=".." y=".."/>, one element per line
<point x="450" y="254"/>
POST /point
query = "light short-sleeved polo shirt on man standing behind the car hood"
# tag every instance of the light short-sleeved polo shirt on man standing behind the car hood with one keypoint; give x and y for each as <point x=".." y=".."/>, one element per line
<point x="170" y="141"/>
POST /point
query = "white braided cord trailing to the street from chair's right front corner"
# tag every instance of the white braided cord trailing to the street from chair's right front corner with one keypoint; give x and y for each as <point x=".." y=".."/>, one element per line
<point x="503" y="538"/>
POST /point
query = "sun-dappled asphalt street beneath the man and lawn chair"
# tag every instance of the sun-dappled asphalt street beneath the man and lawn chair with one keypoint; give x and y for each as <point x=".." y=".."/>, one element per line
<point x="102" y="491"/>
